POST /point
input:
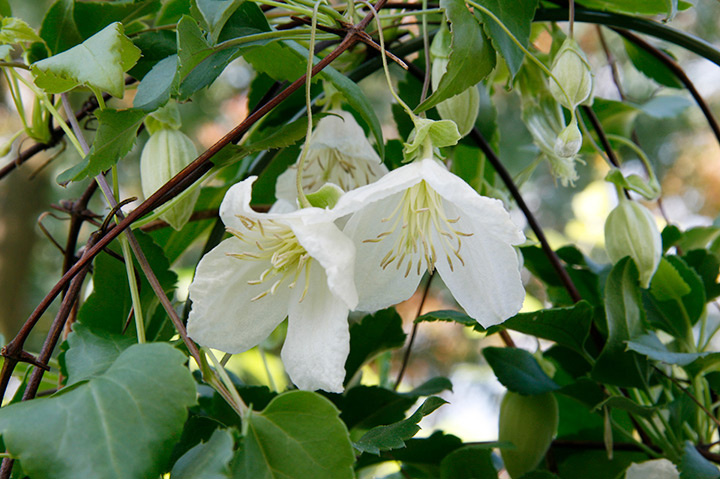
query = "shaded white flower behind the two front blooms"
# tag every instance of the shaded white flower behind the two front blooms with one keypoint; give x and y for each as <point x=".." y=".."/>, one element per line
<point x="338" y="153"/>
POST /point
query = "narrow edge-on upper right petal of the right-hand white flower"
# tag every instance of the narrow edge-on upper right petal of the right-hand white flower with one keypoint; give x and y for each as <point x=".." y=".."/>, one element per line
<point x="488" y="212"/>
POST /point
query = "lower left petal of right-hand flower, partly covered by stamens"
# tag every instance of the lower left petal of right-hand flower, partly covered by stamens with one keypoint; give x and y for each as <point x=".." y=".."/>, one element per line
<point x="378" y="288"/>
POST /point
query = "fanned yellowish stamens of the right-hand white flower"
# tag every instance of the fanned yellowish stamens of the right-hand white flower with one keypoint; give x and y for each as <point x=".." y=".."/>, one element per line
<point x="419" y="213"/>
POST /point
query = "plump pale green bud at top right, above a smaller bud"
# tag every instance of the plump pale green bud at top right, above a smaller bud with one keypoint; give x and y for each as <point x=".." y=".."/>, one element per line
<point x="572" y="70"/>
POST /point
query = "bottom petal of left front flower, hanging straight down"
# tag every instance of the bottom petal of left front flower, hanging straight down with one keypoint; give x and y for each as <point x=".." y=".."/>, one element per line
<point x="318" y="340"/>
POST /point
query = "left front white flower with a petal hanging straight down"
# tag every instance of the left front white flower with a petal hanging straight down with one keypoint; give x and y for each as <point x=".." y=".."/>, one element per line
<point x="298" y="265"/>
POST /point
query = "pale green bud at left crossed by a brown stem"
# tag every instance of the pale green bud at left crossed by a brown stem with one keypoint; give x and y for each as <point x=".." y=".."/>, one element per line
<point x="164" y="155"/>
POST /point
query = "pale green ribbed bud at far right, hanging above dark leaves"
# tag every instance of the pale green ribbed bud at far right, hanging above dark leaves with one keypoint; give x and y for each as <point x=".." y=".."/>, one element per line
<point x="630" y="230"/>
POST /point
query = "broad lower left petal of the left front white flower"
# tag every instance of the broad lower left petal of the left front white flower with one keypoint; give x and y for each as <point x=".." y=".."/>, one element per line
<point x="223" y="315"/>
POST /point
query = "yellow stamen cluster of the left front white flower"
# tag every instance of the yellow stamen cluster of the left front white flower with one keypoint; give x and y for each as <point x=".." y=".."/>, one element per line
<point x="276" y="244"/>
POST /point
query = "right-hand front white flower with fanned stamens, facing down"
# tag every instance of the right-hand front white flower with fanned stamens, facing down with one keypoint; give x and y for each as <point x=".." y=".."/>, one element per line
<point x="422" y="217"/>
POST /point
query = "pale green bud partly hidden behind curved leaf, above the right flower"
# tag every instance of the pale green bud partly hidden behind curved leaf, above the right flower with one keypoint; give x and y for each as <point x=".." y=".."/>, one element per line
<point x="462" y="108"/>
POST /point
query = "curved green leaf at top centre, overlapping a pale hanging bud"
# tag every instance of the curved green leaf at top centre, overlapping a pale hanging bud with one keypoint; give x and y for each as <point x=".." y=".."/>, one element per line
<point x="472" y="57"/>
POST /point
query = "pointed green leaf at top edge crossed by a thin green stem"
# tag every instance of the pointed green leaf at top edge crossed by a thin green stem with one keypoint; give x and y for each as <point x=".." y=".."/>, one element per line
<point x="517" y="17"/>
